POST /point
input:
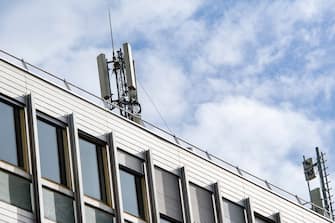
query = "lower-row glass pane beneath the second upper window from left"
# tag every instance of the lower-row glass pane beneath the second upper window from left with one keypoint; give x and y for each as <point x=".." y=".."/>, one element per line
<point x="58" y="207"/>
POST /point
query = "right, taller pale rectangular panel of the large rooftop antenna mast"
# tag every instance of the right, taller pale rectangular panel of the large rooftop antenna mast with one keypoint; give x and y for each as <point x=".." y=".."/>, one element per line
<point x="130" y="72"/>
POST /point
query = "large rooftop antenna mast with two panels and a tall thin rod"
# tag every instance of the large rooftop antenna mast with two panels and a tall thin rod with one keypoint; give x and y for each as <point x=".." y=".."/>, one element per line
<point x="122" y="68"/>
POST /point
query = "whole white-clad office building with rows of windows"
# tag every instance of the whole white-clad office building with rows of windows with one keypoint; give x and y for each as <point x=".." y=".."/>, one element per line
<point x="65" y="158"/>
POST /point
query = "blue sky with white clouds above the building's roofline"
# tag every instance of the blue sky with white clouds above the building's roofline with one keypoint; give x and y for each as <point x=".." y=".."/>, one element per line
<point x="249" y="81"/>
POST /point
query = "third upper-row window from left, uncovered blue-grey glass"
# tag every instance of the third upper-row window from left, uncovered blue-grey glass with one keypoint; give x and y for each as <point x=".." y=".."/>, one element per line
<point x="92" y="167"/>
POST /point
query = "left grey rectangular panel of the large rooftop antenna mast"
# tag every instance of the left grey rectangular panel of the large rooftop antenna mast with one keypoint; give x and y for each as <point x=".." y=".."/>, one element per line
<point x="104" y="76"/>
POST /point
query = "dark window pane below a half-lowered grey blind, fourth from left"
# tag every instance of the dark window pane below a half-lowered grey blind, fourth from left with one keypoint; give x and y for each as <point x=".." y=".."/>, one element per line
<point x="131" y="193"/>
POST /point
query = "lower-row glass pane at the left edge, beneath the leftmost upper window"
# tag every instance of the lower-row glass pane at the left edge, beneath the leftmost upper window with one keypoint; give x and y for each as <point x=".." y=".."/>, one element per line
<point x="15" y="190"/>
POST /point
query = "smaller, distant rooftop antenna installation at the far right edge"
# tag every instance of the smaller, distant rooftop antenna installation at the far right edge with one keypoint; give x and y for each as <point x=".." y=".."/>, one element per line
<point x="321" y="199"/>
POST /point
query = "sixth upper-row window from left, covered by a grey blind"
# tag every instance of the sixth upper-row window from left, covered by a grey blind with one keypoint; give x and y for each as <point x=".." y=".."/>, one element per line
<point x="202" y="205"/>
